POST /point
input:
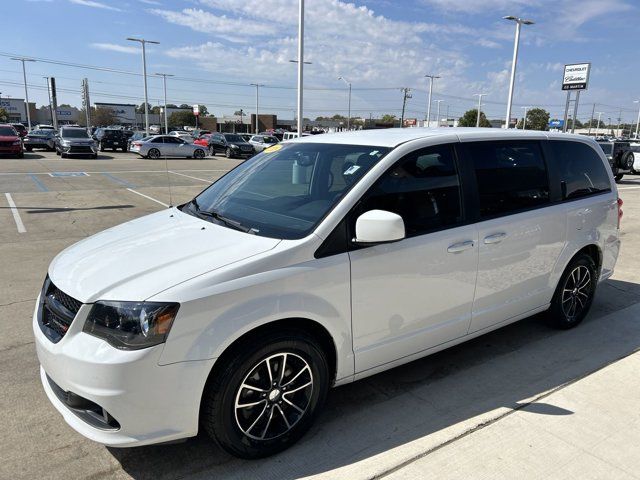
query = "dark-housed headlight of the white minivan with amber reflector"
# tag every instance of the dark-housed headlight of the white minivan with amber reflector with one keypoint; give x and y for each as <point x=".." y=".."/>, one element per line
<point x="131" y="325"/>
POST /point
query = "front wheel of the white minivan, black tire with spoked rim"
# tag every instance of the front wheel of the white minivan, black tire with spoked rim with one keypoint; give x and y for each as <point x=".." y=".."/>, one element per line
<point x="239" y="430"/>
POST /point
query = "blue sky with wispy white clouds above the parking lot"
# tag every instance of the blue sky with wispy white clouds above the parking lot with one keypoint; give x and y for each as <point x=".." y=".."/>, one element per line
<point x="216" y="48"/>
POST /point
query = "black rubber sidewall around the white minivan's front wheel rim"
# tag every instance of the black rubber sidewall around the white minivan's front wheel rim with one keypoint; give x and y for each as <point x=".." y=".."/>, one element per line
<point x="221" y="422"/>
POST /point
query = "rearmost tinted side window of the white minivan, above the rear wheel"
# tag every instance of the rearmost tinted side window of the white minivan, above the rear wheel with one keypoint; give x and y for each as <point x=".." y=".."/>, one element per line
<point x="580" y="168"/>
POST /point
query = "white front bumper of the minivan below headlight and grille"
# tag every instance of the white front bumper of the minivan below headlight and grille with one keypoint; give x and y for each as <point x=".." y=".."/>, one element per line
<point x="146" y="402"/>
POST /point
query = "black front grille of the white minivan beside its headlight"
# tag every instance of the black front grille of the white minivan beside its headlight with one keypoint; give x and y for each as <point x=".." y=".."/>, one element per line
<point x="56" y="311"/>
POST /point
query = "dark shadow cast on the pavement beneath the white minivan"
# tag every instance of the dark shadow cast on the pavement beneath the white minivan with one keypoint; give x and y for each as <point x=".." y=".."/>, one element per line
<point x="505" y="368"/>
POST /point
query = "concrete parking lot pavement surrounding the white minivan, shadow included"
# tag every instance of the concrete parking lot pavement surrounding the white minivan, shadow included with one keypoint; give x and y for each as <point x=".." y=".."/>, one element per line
<point x="524" y="401"/>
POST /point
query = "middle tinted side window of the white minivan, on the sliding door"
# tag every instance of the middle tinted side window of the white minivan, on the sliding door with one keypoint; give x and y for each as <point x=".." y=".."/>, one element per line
<point x="511" y="176"/>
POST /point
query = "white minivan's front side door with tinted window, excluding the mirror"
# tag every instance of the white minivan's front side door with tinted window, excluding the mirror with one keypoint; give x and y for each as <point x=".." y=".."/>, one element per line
<point x="415" y="294"/>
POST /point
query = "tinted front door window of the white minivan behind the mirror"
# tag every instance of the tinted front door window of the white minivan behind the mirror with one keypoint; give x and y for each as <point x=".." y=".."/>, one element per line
<point x="423" y="188"/>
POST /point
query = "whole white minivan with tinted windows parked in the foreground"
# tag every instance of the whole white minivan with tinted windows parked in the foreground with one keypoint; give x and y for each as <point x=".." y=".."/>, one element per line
<point x="318" y="262"/>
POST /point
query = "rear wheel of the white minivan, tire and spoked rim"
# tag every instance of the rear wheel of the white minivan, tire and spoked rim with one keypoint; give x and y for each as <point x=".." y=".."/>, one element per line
<point x="571" y="302"/>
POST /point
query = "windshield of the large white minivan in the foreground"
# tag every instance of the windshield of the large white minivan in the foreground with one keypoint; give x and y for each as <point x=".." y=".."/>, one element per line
<point x="286" y="190"/>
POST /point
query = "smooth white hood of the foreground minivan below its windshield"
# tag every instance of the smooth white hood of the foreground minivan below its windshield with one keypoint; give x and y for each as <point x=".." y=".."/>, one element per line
<point x="140" y="258"/>
